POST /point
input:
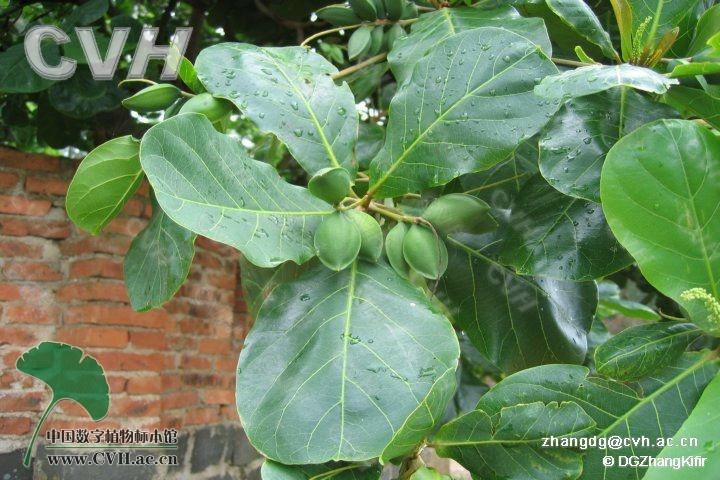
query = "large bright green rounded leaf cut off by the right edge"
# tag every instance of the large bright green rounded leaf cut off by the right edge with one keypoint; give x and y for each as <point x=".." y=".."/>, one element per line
<point x="661" y="198"/>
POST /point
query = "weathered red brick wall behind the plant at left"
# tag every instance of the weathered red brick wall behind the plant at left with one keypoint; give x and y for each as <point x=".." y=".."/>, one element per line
<point x="169" y="367"/>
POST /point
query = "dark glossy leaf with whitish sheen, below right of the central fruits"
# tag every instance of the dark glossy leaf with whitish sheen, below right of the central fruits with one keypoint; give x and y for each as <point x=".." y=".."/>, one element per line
<point x="505" y="315"/>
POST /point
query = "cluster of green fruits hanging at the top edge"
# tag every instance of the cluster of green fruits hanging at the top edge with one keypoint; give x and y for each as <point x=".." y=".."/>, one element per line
<point x="380" y="30"/>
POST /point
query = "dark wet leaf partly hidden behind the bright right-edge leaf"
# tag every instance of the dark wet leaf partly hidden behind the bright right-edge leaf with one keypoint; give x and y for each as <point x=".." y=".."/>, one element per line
<point x="574" y="145"/>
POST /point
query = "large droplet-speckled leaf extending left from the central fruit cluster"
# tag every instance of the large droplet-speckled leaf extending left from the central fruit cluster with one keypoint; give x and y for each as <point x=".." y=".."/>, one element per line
<point x="205" y="182"/>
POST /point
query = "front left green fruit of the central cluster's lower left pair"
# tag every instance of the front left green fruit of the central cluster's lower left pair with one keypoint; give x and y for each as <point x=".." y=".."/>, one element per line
<point x="337" y="241"/>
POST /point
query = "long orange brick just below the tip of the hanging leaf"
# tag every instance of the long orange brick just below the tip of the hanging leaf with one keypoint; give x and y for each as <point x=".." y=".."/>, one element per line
<point x="117" y="315"/>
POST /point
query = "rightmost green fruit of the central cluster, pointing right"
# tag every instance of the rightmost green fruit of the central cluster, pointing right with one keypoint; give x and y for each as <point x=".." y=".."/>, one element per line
<point x="460" y="212"/>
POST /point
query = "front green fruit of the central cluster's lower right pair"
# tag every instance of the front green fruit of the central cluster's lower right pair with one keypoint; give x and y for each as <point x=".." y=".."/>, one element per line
<point x="425" y="252"/>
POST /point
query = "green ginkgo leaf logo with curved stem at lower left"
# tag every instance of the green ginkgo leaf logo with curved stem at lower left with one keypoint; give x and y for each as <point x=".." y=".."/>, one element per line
<point x="70" y="374"/>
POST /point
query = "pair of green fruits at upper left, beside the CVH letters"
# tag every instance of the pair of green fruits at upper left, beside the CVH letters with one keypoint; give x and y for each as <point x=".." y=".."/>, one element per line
<point x="167" y="97"/>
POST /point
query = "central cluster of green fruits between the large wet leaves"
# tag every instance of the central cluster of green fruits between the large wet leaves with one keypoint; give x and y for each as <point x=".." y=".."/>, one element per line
<point x="348" y="234"/>
